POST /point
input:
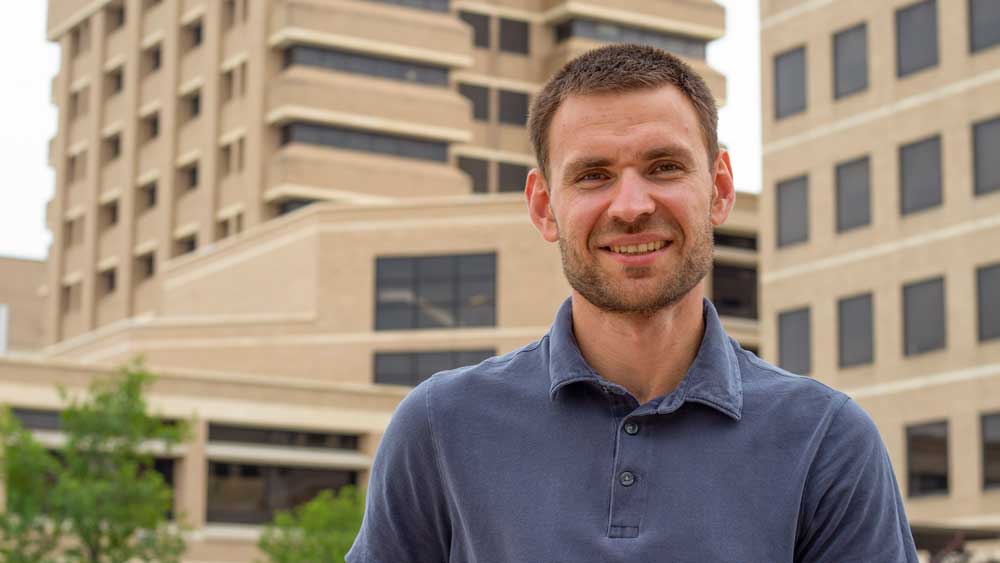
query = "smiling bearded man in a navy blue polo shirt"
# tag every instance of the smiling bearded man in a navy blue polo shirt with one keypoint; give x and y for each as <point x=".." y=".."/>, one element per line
<point x="636" y="429"/>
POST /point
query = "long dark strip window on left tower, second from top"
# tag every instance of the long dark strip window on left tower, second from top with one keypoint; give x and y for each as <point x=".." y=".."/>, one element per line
<point x="369" y="65"/>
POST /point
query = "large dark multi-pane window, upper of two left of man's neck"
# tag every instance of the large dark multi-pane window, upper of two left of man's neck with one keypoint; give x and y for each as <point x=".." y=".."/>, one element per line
<point x="417" y="292"/>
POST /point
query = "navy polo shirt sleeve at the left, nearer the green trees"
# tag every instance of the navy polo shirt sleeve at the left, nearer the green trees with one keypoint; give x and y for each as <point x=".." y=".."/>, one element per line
<point x="406" y="514"/>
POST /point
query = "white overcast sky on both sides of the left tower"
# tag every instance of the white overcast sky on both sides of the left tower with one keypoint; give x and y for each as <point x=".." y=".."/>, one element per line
<point x="28" y="119"/>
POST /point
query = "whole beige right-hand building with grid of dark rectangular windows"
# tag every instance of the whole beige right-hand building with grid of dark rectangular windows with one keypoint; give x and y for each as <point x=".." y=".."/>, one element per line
<point x="880" y="268"/>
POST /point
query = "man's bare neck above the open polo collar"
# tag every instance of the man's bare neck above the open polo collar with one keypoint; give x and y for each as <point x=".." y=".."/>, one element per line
<point x="646" y="355"/>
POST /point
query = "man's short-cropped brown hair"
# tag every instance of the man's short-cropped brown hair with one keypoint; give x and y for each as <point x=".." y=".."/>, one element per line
<point x="621" y="68"/>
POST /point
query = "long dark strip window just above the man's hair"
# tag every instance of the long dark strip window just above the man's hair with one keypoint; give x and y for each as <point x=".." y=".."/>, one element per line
<point x="685" y="46"/>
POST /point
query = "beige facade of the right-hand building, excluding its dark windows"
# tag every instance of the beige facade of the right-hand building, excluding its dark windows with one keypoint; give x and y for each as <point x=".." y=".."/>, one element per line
<point x="957" y="383"/>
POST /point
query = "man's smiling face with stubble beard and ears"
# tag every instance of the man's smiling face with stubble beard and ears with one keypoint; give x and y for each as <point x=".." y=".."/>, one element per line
<point x="632" y="198"/>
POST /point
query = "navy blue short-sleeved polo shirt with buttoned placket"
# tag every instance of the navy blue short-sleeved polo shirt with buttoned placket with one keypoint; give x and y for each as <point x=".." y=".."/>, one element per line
<point x="534" y="457"/>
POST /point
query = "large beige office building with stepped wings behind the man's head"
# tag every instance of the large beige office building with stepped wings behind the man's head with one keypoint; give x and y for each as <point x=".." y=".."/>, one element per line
<point x="296" y="209"/>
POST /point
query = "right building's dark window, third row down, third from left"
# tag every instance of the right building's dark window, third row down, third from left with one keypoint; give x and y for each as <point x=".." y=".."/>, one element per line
<point x="924" y="317"/>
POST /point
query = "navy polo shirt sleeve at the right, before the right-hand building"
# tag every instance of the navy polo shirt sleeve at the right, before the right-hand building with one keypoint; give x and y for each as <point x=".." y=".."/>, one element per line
<point x="852" y="510"/>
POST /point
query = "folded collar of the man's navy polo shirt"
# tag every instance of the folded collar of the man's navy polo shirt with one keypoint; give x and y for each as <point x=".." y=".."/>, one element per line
<point x="713" y="378"/>
